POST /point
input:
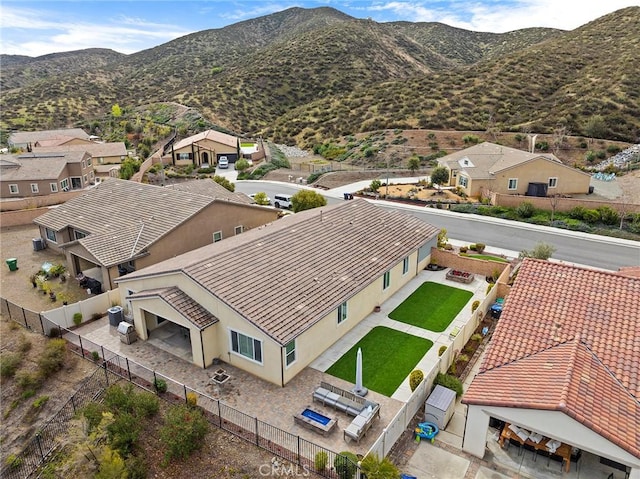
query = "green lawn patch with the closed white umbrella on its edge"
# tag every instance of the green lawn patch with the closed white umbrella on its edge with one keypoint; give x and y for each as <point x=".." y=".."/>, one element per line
<point x="388" y="356"/>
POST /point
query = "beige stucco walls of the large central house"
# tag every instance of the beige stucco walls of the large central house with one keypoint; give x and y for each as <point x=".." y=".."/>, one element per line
<point x="215" y="341"/>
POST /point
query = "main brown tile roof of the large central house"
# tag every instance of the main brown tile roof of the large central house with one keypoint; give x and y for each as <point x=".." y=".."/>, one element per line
<point x="287" y="275"/>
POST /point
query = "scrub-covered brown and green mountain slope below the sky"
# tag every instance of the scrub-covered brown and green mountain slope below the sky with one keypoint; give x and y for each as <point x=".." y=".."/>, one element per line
<point x="310" y="74"/>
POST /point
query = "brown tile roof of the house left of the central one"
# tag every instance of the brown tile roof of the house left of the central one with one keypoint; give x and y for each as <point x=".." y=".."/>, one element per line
<point x="124" y="217"/>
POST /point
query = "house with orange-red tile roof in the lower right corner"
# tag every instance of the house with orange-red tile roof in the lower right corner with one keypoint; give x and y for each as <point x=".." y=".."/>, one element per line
<point x="564" y="361"/>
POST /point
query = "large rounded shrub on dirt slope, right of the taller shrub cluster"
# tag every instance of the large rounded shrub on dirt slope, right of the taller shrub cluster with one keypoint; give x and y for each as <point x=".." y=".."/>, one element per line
<point x="183" y="431"/>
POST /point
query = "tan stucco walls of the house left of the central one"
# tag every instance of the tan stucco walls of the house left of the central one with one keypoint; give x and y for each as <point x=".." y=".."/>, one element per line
<point x="197" y="231"/>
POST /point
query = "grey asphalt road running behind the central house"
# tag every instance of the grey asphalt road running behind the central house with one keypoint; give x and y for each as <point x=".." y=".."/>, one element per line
<point x="574" y="247"/>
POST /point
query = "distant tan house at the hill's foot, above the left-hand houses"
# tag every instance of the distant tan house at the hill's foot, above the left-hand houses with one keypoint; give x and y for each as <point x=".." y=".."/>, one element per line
<point x="205" y="148"/>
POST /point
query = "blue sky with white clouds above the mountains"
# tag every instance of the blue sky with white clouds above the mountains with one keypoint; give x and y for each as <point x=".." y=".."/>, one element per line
<point x="37" y="28"/>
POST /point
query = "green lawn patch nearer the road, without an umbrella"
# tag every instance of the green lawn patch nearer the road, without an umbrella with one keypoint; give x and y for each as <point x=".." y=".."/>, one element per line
<point x="432" y="306"/>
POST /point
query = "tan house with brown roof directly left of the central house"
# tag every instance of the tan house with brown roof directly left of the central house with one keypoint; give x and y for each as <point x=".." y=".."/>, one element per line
<point x="120" y="226"/>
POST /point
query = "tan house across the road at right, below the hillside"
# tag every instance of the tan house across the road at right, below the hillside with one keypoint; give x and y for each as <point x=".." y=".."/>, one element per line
<point x="500" y="169"/>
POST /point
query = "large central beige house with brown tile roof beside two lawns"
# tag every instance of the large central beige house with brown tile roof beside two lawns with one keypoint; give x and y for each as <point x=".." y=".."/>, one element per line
<point x="270" y="301"/>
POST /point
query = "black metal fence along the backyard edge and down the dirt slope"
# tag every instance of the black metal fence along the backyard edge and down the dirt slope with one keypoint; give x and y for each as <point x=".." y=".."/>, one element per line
<point x="306" y="455"/>
